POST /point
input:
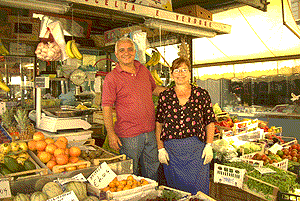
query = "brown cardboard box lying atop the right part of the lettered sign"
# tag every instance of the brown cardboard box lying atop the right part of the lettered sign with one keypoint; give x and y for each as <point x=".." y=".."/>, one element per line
<point x="196" y="11"/>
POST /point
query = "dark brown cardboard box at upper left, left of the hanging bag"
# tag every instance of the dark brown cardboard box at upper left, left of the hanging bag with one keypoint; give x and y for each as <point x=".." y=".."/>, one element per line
<point x="24" y="28"/>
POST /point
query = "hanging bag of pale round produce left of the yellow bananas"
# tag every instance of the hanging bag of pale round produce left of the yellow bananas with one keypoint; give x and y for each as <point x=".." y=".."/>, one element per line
<point x="48" y="49"/>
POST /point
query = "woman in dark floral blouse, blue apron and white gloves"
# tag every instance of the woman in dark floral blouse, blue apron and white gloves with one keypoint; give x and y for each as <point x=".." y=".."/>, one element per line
<point x="184" y="131"/>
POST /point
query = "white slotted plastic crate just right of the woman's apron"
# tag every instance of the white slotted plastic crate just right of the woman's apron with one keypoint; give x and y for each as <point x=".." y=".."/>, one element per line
<point x="229" y="175"/>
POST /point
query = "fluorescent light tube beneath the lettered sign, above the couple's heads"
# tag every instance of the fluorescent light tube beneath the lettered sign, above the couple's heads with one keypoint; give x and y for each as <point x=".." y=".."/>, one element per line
<point x="178" y="28"/>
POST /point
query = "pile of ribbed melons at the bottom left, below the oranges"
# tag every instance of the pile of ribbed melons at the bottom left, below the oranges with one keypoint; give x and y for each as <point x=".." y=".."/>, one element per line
<point x="52" y="190"/>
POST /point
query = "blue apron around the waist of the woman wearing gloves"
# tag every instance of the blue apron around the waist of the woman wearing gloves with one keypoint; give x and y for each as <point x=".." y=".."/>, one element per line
<point x="186" y="171"/>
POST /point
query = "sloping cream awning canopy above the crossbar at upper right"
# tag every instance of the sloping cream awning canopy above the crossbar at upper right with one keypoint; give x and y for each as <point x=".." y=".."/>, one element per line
<point x="255" y="36"/>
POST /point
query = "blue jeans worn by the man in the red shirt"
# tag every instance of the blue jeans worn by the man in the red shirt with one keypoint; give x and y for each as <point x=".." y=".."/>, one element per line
<point x="144" y="147"/>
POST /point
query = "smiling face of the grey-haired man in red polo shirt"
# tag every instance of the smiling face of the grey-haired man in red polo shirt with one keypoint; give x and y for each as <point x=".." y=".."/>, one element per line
<point x="125" y="53"/>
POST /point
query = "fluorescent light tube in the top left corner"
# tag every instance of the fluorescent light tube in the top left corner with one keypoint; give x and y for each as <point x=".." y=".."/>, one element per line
<point x="45" y="6"/>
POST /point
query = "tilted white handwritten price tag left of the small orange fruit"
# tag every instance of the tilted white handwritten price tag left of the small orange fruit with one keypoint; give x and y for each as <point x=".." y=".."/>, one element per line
<point x="102" y="176"/>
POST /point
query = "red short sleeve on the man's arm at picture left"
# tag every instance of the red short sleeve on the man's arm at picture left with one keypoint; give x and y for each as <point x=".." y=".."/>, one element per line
<point x="109" y="91"/>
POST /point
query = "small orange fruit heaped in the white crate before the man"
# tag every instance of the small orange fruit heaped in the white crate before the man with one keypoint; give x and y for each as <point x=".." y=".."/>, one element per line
<point x="126" y="184"/>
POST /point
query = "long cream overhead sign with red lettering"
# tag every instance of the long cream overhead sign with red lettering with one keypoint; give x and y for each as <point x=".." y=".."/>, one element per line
<point x="150" y="12"/>
